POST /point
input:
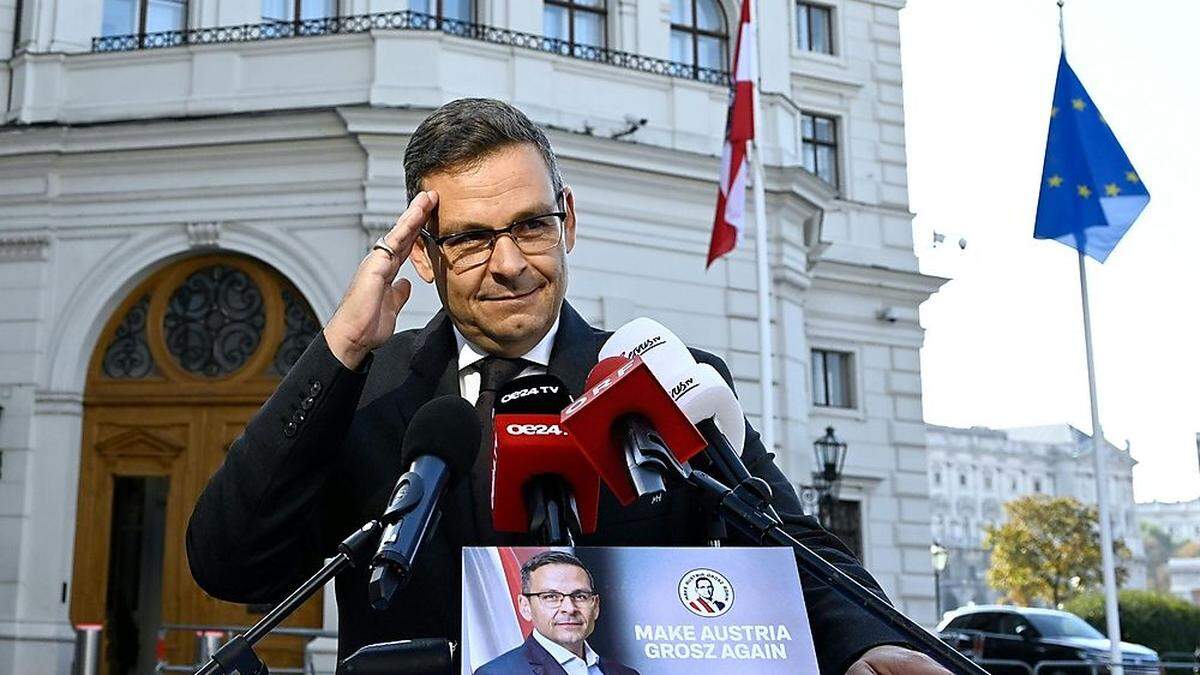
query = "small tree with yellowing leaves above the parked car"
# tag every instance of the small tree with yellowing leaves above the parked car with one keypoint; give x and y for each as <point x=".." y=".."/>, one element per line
<point x="1048" y="551"/>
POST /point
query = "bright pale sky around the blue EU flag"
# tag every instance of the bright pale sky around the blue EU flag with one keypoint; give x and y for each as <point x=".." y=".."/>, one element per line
<point x="1005" y="339"/>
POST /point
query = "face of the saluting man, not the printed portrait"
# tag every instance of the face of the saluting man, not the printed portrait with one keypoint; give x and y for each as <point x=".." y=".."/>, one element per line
<point x="507" y="304"/>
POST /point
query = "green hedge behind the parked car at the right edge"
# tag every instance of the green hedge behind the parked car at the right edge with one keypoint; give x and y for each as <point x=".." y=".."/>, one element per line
<point x="1161" y="622"/>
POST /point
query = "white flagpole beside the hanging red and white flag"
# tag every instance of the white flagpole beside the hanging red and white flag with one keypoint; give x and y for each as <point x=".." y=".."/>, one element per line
<point x="766" y="361"/>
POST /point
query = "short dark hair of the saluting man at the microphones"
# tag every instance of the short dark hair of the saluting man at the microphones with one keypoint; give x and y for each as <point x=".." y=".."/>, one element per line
<point x="461" y="134"/>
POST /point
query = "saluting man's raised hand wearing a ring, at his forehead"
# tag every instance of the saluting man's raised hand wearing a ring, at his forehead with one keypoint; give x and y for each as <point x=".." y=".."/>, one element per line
<point x="367" y="316"/>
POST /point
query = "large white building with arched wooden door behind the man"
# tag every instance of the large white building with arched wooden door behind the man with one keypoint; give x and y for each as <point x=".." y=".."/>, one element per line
<point x="187" y="188"/>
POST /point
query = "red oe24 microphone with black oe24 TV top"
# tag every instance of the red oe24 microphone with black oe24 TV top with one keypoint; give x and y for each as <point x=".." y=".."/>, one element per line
<point x="542" y="481"/>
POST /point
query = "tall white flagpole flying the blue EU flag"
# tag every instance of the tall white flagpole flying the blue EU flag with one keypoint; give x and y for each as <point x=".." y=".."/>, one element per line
<point x="1108" y="565"/>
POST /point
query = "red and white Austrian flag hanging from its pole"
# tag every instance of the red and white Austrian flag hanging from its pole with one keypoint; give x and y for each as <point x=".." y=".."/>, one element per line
<point x="731" y="198"/>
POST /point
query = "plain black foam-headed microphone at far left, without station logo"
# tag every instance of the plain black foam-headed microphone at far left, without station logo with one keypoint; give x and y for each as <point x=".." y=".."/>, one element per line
<point x="442" y="443"/>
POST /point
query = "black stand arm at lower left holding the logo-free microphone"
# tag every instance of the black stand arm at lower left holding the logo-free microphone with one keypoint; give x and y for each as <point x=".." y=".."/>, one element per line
<point x="238" y="658"/>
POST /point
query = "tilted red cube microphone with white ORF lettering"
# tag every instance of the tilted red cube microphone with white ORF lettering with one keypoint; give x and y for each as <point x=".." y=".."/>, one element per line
<point x="625" y="403"/>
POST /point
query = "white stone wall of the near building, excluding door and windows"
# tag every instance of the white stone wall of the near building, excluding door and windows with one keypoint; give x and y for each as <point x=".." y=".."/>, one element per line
<point x="290" y="151"/>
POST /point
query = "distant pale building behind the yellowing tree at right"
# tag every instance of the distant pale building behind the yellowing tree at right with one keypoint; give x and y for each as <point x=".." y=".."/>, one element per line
<point x="973" y="473"/>
